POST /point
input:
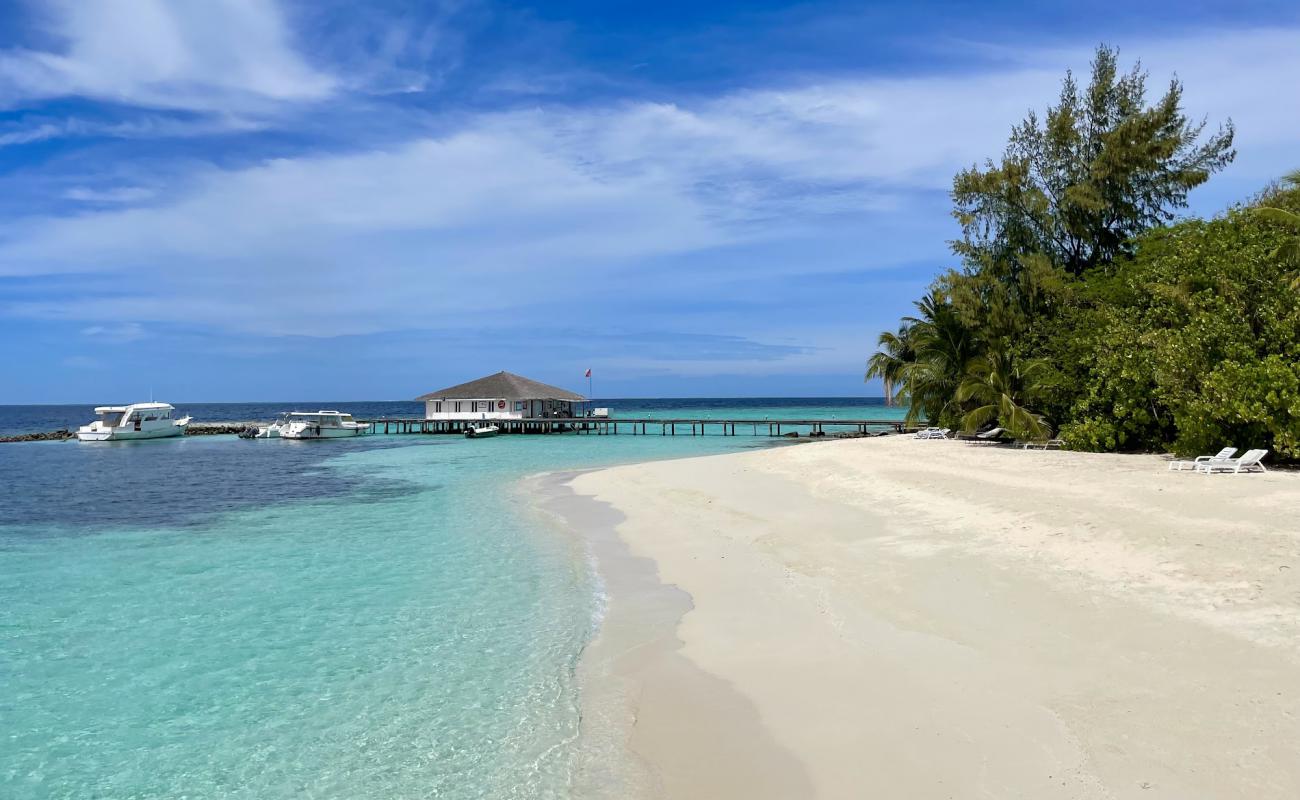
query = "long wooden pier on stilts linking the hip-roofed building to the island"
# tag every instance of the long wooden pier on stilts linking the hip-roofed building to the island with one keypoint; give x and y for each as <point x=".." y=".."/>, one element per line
<point x="639" y="426"/>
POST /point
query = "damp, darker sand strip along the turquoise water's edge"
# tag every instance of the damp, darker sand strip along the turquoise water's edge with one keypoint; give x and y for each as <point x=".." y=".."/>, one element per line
<point x="634" y="682"/>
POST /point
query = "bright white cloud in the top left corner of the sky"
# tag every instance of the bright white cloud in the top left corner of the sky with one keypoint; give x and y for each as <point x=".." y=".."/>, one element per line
<point x="202" y="55"/>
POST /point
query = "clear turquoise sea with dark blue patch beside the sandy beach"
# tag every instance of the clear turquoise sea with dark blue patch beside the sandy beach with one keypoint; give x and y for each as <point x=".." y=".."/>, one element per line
<point x="380" y="617"/>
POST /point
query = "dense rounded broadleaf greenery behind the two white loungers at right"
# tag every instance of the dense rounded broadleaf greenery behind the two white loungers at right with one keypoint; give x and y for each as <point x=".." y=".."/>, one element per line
<point x="1193" y="344"/>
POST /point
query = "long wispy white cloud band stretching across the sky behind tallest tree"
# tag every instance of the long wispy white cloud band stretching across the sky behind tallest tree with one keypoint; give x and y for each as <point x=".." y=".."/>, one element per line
<point x="519" y="210"/>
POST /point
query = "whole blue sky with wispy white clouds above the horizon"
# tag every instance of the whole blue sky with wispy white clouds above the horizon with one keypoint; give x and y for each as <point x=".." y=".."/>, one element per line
<point x="259" y="200"/>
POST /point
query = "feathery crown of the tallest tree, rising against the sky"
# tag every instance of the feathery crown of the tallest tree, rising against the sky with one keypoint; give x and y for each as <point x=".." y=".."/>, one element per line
<point x="1098" y="171"/>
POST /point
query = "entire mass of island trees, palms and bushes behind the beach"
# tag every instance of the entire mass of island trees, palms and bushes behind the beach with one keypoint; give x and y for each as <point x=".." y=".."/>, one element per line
<point x="1085" y="308"/>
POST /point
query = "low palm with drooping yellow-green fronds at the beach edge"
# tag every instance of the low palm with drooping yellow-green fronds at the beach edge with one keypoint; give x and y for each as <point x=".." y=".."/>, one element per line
<point x="999" y="384"/>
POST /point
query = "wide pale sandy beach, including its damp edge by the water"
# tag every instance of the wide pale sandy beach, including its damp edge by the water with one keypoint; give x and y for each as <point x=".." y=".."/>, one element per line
<point x="902" y="619"/>
